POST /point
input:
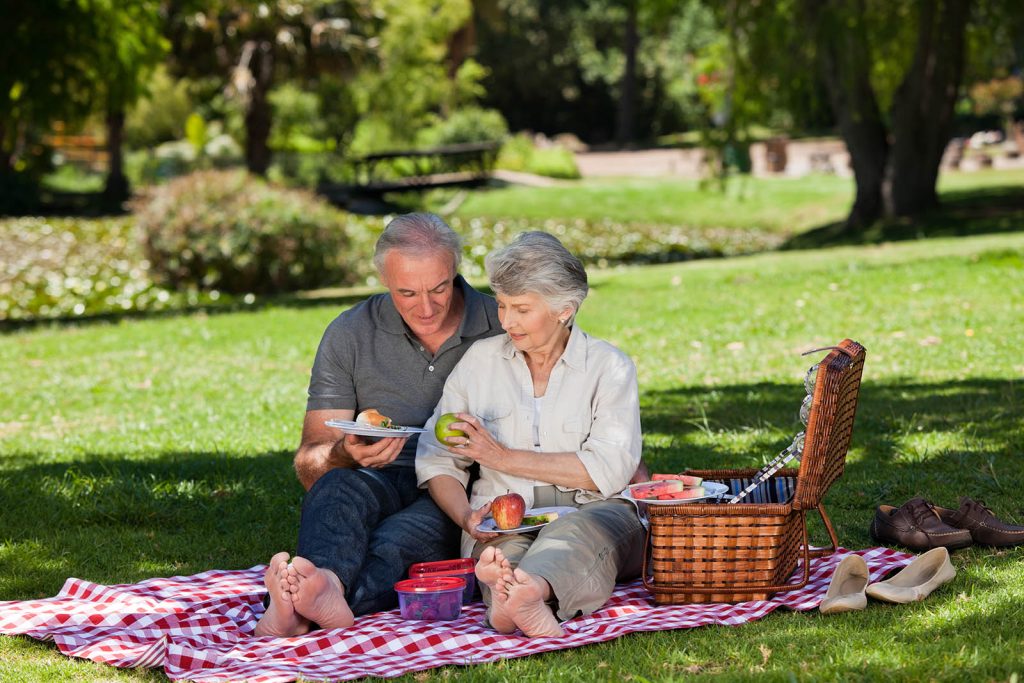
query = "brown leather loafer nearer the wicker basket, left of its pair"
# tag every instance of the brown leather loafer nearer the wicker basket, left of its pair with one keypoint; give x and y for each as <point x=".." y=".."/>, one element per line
<point x="918" y="527"/>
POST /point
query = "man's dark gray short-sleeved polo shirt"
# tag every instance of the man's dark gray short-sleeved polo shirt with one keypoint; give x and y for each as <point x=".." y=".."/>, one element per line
<point x="370" y="359"/>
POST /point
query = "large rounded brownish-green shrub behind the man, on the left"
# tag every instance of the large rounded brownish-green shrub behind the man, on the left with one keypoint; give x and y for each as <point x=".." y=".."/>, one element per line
<point x="234" y="233"/>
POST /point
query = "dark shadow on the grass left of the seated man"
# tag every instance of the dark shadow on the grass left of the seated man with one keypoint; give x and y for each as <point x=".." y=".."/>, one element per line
<point x="113" y="520"/>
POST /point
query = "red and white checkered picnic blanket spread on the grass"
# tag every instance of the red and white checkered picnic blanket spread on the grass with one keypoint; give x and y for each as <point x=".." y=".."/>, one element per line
<point x="200" y="628"/>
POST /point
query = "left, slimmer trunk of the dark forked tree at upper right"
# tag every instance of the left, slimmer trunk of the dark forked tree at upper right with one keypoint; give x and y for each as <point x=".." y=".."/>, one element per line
<point x="845" y="61"/>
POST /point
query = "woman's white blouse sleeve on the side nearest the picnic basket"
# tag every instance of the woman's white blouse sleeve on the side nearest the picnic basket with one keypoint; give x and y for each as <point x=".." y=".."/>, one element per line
<point x="612" y="451"/>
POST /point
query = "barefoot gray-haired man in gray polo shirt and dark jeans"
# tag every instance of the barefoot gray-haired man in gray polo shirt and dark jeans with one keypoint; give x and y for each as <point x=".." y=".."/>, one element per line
<point x="364" y="520"/>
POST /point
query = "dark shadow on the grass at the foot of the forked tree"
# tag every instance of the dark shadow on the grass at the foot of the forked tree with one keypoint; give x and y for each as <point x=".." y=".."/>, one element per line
<point x="962" y="214"/>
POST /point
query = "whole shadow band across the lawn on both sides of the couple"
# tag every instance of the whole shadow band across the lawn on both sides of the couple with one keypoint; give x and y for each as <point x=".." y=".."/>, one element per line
<point x="118" y="520"/>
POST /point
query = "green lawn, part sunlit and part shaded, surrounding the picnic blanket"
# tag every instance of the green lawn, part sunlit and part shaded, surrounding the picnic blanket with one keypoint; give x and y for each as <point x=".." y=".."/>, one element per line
<point x="163" y="447"/>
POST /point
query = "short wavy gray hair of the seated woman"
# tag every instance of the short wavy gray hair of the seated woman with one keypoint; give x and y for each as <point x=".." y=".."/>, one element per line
<point x="538" y="263"/>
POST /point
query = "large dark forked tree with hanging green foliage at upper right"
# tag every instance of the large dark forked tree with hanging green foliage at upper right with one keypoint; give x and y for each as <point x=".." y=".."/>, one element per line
<point x="893" y="71"/>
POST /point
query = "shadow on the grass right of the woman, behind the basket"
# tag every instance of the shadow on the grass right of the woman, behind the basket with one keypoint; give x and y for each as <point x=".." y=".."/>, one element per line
<point x="911" y="439"/>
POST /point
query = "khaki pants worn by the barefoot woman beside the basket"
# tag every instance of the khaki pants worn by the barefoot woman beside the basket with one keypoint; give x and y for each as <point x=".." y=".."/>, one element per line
<point x="581" y="556"/>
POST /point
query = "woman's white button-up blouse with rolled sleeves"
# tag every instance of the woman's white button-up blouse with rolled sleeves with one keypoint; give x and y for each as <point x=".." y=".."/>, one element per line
<point x="591" y="407"/>
